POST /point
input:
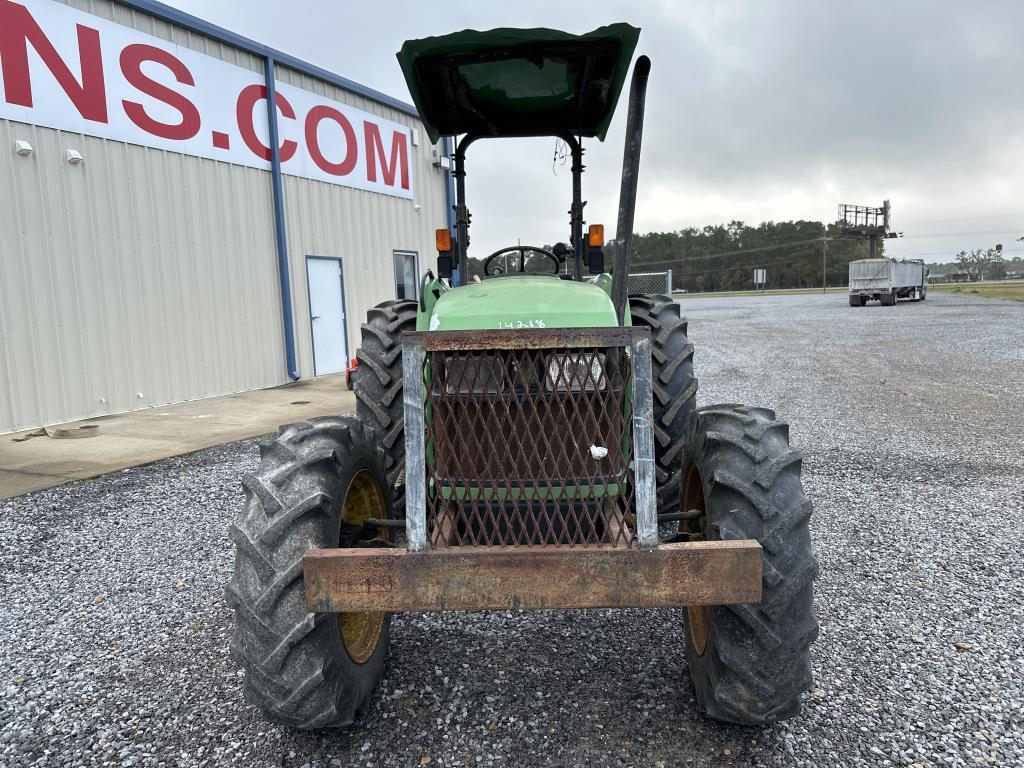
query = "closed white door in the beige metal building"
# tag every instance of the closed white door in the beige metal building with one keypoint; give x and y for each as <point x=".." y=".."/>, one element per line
<point x="327" y="315"/>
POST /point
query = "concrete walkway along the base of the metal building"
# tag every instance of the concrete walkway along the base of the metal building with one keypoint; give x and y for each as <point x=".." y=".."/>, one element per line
<point x="143" y="437"/>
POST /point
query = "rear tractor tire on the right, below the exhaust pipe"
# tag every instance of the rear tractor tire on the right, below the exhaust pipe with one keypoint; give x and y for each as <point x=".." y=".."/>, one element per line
<point x="675" y="390"/>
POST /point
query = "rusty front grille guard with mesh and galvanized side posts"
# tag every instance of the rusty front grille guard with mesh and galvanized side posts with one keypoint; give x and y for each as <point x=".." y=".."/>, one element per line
<point x="531" y="438"/>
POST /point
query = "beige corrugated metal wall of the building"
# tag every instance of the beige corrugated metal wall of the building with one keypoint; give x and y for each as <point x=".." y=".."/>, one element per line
<point x="142" y="277"/>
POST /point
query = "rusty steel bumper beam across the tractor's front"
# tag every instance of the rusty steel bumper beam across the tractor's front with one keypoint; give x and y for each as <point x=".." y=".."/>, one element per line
<point x="533" y="578"/>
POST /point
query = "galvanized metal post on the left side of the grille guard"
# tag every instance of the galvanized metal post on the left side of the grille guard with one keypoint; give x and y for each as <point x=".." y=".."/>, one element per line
<point x="416" y="454"/>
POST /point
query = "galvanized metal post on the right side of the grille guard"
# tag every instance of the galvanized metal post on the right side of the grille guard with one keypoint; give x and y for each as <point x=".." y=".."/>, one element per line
<point x="644" y="443"/>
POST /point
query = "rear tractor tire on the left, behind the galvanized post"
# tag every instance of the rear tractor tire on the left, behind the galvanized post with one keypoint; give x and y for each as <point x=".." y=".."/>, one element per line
<point x="379" y="387"/>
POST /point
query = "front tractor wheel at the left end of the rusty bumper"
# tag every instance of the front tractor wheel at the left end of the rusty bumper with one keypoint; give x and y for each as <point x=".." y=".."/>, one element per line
<point x="316" y="486"/>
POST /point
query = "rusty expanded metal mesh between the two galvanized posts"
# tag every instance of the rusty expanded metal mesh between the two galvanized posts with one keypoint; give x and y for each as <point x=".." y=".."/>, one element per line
<point x="530" y="447"/>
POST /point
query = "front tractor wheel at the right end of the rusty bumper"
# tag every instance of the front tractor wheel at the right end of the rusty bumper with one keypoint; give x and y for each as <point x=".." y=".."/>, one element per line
<point x="750" y="664"/>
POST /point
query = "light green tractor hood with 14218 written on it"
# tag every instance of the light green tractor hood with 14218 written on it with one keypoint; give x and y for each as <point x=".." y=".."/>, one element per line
<point x="524" y="302"/>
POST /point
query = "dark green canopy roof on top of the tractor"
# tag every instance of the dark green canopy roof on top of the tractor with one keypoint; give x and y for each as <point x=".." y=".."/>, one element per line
<point x="510" y="82"/>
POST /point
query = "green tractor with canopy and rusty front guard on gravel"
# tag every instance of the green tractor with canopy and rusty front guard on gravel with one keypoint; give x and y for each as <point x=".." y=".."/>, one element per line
<point x="526" y="442"/>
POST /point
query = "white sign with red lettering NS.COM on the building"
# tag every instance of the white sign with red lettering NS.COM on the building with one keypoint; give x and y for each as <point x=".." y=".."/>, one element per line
<point x="67" y="70"/>
